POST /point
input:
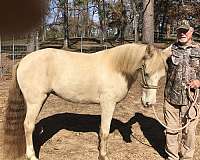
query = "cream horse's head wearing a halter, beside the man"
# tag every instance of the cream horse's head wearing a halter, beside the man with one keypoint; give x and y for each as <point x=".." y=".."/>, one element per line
<point x="153" y="68"/>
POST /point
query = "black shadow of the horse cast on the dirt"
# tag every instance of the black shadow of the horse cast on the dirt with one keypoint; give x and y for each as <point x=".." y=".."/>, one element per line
<point x="48" y="127"/>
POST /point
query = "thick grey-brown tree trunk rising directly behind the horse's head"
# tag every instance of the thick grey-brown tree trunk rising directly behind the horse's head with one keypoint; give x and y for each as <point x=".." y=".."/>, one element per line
<point x="148" y="21"/>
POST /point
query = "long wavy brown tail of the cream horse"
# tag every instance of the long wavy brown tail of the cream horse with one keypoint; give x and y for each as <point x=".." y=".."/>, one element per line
<point x="14" y="136"/>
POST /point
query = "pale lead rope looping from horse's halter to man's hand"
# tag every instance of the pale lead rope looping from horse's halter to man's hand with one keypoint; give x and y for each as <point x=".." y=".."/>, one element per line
<point x="193" y="100"/>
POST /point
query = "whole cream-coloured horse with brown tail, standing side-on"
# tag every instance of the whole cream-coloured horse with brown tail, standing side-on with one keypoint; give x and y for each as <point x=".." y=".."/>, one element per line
<point x="103" y="77"/>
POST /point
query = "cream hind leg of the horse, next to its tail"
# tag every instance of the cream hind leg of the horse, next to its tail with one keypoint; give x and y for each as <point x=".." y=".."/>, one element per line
<point x="33" y="108"/>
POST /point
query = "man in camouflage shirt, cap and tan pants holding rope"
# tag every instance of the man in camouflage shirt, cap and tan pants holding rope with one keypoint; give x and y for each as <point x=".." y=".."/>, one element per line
<point x="183" y="72"/>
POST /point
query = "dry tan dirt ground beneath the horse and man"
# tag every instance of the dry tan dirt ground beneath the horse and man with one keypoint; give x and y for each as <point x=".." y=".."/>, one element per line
<point x="67" y="131"/>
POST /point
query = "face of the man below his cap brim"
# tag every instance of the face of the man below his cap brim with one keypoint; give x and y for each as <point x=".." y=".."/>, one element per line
<point x="184" y="36"/>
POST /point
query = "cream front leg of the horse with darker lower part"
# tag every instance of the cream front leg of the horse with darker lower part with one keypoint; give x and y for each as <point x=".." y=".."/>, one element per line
<point x="107" y="108"/>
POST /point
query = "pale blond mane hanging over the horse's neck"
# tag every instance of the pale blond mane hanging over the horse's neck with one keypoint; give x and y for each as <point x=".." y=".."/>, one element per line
<point x="126" y="58"/>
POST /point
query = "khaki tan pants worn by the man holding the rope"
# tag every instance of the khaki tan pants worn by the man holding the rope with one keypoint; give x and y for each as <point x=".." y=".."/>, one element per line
<point x="179" y="145"/>
